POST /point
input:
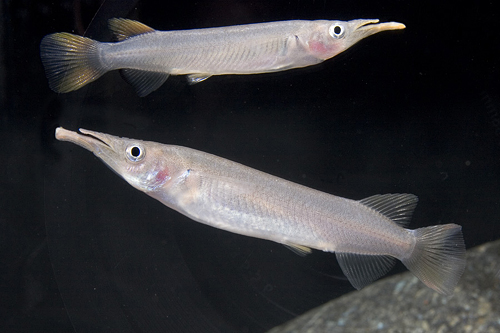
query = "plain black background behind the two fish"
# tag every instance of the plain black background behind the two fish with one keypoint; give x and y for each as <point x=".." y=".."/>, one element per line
<point x="413" y="111"/>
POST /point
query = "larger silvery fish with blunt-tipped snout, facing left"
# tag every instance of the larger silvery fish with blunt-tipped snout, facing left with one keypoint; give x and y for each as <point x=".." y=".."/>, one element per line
<point x="365" y="235"/>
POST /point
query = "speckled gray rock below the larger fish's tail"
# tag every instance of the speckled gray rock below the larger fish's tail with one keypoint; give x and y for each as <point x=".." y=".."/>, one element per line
<point x="402" y="303"/>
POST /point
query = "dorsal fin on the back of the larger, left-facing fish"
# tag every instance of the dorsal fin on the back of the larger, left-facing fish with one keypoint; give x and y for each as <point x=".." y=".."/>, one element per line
<point x="398" y="207"/>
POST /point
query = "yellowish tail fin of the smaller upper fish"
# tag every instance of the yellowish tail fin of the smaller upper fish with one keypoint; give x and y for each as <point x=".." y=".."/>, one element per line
<point x="70" y="61"/>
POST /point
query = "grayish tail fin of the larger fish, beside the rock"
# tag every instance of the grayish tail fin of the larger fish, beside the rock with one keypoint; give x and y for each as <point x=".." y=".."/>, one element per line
<point x="438" y="258"/>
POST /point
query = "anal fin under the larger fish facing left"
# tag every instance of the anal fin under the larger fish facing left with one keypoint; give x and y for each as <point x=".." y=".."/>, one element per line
<point x="361" y="269"/>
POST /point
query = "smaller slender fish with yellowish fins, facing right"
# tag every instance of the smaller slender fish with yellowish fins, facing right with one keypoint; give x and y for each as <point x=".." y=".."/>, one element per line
<point x="147" y="57"/>
